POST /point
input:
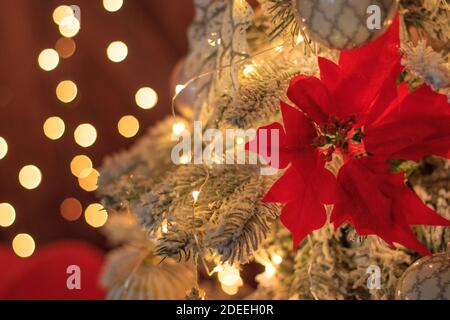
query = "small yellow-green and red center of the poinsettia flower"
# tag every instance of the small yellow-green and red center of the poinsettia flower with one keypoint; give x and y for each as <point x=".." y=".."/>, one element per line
<point x="340" y="134"/>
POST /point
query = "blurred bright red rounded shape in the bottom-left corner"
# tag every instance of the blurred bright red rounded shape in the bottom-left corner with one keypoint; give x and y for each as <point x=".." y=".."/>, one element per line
<point x="44" y="275"/>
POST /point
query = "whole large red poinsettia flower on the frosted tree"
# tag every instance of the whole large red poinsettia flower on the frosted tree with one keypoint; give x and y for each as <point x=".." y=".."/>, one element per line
<point x="357" y="111"/>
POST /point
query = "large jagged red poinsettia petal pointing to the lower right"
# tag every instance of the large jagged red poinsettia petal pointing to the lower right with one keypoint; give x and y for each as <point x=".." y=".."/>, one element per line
<point x="377" y="204"/>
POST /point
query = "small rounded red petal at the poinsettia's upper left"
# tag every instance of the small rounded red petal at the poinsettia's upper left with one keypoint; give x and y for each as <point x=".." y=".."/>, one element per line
<point x="311" y="96"/>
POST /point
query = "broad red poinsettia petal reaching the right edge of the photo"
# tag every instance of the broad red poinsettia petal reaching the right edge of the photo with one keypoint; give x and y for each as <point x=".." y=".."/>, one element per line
<point x="416" y="126"/>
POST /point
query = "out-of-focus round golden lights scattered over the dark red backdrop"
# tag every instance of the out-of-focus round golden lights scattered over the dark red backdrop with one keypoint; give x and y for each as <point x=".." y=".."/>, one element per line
<point x="68" y="20"/>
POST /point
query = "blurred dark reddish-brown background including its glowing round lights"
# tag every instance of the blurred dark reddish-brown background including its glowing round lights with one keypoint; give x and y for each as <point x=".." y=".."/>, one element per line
<point x="73" y="91"/>
